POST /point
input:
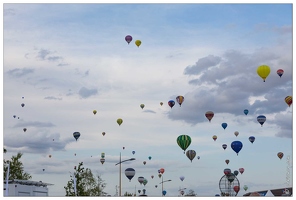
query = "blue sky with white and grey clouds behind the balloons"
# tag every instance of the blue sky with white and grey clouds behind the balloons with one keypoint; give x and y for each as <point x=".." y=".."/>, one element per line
<point x="65" y="60"/>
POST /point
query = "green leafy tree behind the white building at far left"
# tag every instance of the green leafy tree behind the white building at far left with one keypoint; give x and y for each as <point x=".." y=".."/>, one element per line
<point x="16" y="168"/>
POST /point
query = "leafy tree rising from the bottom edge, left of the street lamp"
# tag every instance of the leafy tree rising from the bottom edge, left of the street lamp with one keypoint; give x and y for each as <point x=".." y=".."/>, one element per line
<point x="86" y="183"/>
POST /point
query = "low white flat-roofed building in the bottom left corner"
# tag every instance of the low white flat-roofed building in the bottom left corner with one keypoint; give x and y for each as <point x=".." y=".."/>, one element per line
<point x="26" y="188"/>
